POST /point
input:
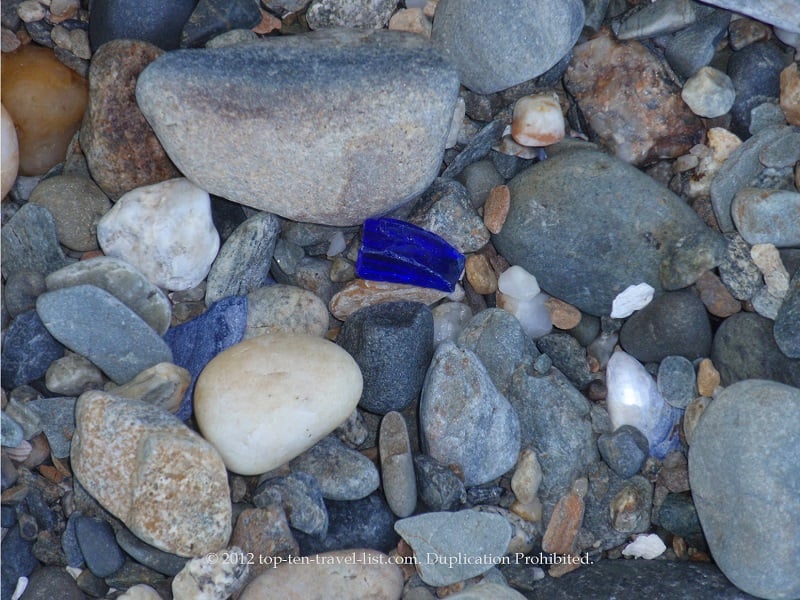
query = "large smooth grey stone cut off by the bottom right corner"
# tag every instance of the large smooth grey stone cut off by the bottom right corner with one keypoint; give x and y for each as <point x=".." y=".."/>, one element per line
<point x="734" y="487"/>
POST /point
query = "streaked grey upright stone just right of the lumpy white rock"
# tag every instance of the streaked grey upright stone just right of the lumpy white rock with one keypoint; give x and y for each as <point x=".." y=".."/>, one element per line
<point x="243" y="262"/>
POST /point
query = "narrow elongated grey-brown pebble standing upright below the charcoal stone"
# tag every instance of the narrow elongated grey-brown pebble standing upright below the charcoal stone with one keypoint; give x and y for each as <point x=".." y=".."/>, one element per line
<point x="397" y="465"/>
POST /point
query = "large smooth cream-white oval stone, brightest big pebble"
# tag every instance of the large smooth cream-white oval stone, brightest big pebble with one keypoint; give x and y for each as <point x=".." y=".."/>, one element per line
<point x="266" y="400"/>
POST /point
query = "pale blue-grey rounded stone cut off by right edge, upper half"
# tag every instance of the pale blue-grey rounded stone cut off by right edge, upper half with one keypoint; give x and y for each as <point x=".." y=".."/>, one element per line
<point x="767" y="216"/>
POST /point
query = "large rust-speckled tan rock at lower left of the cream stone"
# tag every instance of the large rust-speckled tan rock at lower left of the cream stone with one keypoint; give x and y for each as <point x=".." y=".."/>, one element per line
<point x="166" y="483"/>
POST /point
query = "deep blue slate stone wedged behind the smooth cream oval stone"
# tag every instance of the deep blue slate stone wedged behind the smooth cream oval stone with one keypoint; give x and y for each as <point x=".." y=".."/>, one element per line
<point x="196" y="342"/>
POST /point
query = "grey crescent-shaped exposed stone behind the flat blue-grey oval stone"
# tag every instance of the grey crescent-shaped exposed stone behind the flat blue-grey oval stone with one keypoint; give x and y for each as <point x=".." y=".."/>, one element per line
<point x="123" y="281"/>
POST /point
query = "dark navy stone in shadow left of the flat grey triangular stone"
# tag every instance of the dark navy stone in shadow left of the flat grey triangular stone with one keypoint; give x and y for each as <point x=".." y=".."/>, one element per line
<point x="365" y="523"/>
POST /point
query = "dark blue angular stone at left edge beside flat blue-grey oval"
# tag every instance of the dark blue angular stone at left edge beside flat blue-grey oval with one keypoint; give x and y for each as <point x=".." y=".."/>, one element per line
<point x="28" y="349"/>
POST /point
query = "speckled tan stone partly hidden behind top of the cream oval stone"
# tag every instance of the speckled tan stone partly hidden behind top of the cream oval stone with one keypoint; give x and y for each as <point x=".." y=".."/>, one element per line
<point x="283" y="308"/>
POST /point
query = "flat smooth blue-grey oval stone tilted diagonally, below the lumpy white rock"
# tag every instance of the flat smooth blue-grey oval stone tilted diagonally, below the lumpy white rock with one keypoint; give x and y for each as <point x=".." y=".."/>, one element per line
<point x="93" y="323"/>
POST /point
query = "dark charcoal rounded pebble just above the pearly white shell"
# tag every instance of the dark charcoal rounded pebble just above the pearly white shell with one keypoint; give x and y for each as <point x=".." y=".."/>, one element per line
<point x="674" y="324"/>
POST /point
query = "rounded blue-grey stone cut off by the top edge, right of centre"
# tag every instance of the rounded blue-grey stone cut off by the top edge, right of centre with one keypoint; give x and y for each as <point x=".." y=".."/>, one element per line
<point x="534" y="39"/>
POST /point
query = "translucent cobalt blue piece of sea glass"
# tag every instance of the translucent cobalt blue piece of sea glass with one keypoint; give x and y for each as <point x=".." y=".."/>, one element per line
<point x="399" y="252"/>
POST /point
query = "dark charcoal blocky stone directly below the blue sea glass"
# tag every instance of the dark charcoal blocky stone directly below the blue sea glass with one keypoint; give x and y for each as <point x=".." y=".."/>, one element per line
<point x="393" y="346"/>
